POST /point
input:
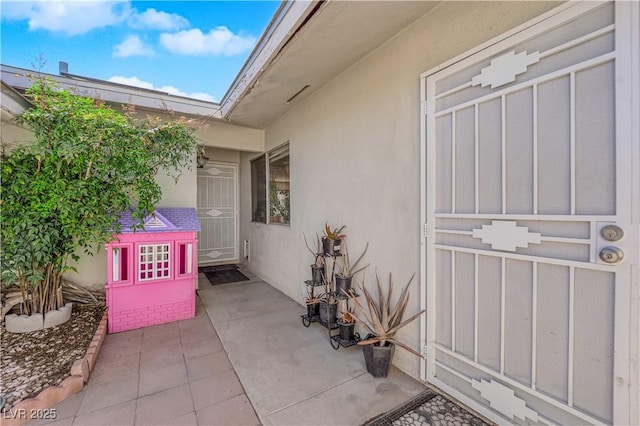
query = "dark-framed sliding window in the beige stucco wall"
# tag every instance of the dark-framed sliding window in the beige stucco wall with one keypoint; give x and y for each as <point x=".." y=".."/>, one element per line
<point x="270" y="198"/>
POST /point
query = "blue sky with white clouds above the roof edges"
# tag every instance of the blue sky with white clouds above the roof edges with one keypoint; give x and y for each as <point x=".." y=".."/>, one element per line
<point x="189" y="48"/>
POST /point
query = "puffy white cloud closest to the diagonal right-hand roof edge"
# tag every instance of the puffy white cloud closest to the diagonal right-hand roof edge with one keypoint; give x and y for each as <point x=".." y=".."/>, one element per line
<point x="218" y="41"/>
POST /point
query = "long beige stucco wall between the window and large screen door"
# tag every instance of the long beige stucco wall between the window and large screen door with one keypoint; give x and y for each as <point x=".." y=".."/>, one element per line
<point x="355" y="155"/>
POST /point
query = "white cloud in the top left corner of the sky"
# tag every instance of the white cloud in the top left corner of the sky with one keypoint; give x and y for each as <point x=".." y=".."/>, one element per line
<point x="71" y="17"/>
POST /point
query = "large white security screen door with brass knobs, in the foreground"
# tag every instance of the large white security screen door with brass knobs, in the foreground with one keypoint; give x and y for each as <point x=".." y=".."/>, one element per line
<point x="531" y="240"/>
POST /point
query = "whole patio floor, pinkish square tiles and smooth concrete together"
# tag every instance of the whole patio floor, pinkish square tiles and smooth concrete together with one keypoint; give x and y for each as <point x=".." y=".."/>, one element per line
<point x="245" y="359"/>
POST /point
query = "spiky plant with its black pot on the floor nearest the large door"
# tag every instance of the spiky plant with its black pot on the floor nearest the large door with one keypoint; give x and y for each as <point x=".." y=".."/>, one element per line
<point x="382" y="321"/>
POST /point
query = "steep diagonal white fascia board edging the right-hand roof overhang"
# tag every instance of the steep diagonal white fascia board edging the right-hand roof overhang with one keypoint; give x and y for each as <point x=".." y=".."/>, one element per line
<point x="283" y="25"/>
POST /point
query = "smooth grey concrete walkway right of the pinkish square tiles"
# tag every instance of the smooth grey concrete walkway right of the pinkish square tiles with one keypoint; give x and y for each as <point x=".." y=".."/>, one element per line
<point x="290" y="373"/>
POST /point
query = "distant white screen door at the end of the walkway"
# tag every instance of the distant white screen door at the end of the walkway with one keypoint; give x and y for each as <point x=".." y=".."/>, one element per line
<point x="218" y="213"/>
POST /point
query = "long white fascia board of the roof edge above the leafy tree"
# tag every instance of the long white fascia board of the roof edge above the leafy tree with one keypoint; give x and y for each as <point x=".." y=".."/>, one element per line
<point x="116" y="93"/>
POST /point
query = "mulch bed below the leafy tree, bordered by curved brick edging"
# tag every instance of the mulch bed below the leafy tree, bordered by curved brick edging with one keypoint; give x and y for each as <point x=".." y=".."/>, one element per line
<point x="31" y="362"/>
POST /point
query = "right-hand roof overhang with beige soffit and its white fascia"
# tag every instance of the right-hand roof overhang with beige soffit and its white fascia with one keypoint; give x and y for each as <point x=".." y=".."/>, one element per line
<point x="301" y="56"/>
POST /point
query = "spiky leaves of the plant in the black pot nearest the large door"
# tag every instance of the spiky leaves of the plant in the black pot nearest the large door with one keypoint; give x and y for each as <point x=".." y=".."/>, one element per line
<point x="381" y="318"/>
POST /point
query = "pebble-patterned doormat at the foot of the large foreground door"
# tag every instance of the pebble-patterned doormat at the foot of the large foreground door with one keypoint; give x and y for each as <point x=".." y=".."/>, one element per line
<point x="427" y="408"/>
